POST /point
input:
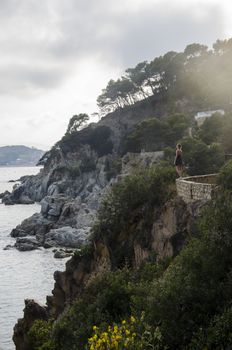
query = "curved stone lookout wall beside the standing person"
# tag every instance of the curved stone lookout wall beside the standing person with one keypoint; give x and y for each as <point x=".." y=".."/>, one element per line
<point x="193" y="188"/>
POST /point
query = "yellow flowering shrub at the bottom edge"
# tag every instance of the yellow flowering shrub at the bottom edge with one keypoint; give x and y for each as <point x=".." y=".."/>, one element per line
<point x="132" y="334"/>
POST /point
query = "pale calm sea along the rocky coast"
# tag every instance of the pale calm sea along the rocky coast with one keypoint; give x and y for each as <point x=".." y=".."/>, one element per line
<point x="22" y="274"/>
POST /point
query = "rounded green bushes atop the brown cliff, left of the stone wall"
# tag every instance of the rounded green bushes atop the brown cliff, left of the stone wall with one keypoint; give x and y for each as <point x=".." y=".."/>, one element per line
<point x="133" y="199"/>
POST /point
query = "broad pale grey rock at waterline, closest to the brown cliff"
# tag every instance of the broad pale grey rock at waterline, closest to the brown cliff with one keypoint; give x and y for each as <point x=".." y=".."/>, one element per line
<point x="66" y="237"/>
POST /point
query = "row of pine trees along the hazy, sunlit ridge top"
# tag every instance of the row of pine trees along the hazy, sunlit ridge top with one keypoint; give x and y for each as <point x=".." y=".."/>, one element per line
<point x="198" y="74"/>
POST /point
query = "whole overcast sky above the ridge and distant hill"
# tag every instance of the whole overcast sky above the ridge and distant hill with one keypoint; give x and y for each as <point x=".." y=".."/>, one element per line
<point x="56" y="56"/>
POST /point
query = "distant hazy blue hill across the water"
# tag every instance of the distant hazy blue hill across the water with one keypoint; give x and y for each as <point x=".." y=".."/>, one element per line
<point x="19" y="155"/>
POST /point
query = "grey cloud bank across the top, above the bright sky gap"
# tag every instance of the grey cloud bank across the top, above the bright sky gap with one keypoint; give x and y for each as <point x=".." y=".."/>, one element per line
<point x="45" y="41"/>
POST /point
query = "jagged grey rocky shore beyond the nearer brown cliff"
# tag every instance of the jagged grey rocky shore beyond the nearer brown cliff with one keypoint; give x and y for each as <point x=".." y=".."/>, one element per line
<point x="68" y="204"/>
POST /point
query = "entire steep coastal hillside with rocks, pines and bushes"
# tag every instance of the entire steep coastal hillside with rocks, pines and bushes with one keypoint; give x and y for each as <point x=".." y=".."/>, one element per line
<point x="148" y="270"/>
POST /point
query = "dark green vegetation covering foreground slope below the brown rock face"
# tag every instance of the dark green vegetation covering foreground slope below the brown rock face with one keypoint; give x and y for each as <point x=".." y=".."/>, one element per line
<point x="183" y="303"/>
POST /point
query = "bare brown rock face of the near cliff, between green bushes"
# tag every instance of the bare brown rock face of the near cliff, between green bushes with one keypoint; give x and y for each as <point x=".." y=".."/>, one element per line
<point x="171" y="228"/>
